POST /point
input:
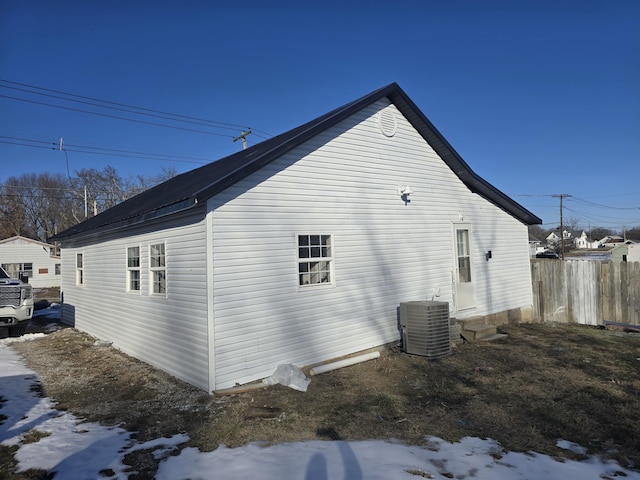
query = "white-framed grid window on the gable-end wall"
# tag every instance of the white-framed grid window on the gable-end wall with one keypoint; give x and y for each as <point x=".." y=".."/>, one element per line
<point x="315" y="260"/>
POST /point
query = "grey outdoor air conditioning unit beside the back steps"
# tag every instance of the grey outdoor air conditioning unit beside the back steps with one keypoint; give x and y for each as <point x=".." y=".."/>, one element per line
<point x="425" y="328"/>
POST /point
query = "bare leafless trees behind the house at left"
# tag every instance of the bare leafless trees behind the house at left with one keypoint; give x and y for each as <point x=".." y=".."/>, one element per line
<point x="40" y="205"/>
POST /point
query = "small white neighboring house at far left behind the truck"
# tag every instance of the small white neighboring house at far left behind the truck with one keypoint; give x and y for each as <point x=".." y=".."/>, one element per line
<point x="24" y="257"/>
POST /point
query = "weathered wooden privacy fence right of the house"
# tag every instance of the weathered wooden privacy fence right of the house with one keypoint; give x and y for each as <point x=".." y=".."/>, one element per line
<point x="589" y="292"/>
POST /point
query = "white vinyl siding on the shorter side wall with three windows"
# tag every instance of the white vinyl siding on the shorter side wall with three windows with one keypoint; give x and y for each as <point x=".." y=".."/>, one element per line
<point x="171" y="334"/>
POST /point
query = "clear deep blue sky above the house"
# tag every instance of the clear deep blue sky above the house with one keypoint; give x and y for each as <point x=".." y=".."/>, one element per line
<point x="539" y="97"/>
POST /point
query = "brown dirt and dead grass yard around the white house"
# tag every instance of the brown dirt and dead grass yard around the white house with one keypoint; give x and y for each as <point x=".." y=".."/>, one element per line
<point x="540" y="384"/>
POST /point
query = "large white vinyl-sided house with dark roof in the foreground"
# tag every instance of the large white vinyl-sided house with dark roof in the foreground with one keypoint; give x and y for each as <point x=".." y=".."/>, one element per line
<point x="299" y="249"/>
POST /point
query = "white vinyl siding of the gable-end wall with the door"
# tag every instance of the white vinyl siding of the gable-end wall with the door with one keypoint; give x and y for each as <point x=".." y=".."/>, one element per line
<point x="345" y="181"/>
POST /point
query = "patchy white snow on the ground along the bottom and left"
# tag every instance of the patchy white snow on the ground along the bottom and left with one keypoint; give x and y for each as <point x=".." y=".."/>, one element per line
<point x="74" y="448"/>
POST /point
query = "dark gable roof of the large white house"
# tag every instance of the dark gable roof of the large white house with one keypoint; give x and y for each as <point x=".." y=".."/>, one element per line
<point x="196" y="186"/>
